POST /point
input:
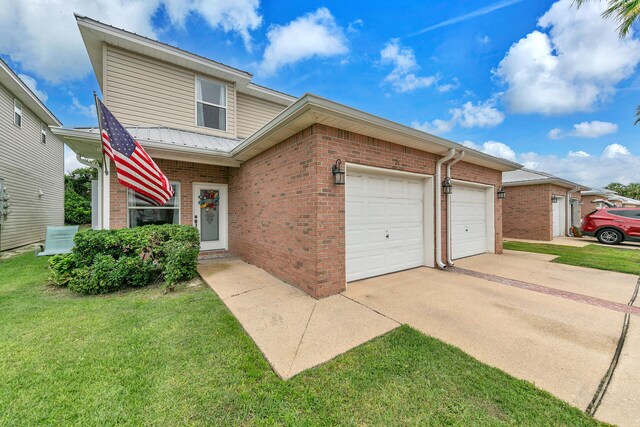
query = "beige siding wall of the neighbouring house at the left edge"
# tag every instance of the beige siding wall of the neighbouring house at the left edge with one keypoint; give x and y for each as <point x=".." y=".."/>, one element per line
<point x="26" y="166"/>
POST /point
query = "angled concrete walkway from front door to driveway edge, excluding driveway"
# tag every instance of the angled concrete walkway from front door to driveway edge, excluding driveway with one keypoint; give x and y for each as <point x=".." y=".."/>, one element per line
<point x="294" y="331"/>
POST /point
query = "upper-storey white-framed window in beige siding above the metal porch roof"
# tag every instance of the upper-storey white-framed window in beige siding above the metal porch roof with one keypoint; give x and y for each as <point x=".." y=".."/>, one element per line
<point x="211" y="104"/>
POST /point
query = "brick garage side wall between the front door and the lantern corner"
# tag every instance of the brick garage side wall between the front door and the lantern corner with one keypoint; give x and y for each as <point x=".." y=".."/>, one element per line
<point x="273" y="211"/>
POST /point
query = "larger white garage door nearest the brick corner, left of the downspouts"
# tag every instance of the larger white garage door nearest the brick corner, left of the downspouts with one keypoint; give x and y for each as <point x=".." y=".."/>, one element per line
<point x="384" y="224"/>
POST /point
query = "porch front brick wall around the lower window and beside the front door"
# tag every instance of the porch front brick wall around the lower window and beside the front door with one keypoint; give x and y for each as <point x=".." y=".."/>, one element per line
<point x="184" y="172"/>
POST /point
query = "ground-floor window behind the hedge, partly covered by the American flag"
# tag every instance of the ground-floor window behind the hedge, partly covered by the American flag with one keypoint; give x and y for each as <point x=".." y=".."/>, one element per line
<point x="141" y="212"/>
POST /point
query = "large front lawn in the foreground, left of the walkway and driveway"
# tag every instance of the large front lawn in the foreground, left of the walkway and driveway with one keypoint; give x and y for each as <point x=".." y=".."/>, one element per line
<point x="141" y="357"/>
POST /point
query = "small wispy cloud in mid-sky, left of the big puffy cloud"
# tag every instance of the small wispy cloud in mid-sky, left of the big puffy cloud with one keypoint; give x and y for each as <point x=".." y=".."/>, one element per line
<point x="402" y="78"/>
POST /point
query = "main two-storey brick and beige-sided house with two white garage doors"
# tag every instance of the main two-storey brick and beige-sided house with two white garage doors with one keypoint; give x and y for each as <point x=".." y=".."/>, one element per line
<point x="270" y="157"/>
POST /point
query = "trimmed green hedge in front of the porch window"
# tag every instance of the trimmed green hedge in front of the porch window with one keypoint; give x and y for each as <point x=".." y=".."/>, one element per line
<point x="108" y="260"/>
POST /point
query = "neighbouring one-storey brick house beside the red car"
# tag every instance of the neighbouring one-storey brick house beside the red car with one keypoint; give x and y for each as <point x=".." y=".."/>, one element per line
<point x="538" y="205"/>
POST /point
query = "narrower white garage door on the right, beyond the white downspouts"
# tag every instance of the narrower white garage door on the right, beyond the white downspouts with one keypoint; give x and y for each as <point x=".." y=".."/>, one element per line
<point x="468" y="221"/>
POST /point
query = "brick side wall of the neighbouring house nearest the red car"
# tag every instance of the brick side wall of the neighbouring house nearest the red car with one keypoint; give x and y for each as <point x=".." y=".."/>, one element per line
<point x="528" y="211"/>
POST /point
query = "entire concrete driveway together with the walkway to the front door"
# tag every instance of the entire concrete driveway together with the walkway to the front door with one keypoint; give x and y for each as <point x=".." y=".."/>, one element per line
<point x="554" y="325"/>
